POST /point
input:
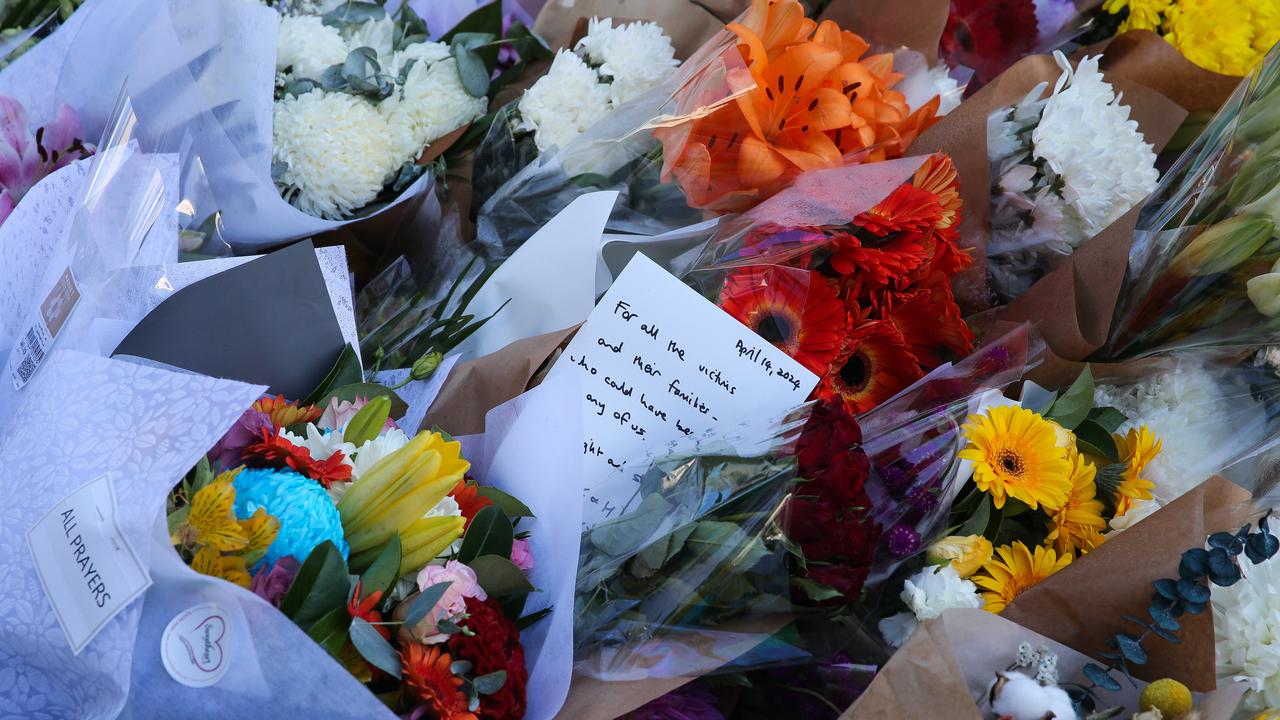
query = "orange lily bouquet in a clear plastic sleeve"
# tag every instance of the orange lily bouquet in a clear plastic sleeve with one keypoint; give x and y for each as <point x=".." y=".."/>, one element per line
<point x="738" y="122"/>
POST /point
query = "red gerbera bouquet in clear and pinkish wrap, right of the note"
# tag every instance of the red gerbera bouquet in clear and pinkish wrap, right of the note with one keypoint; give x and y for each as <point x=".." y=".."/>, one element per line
<point x="863" y="299"/>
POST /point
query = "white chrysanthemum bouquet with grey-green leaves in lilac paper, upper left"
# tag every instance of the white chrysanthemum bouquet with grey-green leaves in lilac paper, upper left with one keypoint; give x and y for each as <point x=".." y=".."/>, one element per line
<point x="360" y="95"/>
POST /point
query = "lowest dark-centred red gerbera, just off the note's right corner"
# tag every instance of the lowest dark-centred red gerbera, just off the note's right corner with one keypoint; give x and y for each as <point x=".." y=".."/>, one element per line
<point x="875" y="364"/>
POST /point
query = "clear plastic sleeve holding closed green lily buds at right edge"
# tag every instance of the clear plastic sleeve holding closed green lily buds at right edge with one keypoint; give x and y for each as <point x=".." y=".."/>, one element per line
<point x="1201" y="270"/>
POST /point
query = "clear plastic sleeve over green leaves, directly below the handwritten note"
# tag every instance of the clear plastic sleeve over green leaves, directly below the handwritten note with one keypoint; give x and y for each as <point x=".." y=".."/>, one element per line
<point x="697" y="575"/>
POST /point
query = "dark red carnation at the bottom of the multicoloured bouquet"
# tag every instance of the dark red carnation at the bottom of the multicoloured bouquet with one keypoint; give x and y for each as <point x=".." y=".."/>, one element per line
<point x="495" y="646"/>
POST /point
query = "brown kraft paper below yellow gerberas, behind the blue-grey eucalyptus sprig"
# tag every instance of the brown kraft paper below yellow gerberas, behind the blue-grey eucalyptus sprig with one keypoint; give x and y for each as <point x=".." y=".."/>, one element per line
<point x="1084" y="604"/>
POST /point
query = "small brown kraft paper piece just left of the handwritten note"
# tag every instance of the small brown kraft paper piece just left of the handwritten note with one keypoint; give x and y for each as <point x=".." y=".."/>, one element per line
<point x="478" y="386"/>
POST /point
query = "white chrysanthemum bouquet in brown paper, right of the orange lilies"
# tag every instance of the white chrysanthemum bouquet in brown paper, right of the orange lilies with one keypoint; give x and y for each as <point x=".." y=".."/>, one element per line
<point x="1063" y="168"/>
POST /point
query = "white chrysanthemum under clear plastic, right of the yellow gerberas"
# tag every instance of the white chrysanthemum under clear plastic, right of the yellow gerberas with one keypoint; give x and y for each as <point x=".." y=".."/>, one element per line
<point x="1201" y="425"/>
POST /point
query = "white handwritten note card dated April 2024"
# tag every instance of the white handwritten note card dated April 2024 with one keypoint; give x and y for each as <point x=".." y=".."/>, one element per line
<point x="660" y="364"/>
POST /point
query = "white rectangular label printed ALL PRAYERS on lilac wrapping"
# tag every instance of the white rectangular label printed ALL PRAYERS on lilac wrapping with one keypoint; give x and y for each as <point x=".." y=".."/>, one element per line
<point x="85" y="563"/>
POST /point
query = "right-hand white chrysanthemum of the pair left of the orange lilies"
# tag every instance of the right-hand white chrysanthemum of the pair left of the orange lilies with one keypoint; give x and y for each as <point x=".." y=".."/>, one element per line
<point x="634" y="58"/>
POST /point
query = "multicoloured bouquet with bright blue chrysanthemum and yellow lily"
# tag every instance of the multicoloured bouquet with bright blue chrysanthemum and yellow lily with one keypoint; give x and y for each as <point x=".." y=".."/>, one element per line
<point x="377" y="544"/>
